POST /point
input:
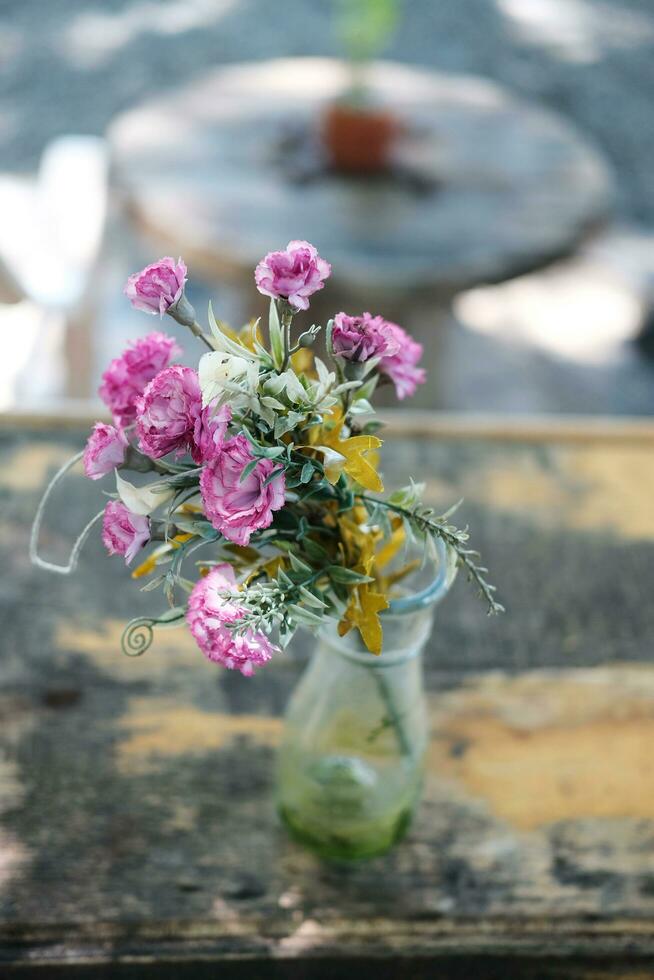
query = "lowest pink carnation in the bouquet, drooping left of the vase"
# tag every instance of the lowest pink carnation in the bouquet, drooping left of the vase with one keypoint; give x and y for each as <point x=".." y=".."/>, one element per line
<point x="208" y="614"/>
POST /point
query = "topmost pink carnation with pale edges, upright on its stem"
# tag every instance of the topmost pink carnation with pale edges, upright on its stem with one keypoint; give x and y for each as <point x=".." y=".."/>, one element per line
<point x="294" y="274"/>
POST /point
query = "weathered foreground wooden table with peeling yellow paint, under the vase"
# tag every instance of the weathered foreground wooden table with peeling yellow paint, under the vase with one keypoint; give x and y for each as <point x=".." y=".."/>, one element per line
<point x="137" y="832"/>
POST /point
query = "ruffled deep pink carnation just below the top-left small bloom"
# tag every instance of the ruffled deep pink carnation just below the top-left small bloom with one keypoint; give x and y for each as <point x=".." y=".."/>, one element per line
<point x="126" y="377"/>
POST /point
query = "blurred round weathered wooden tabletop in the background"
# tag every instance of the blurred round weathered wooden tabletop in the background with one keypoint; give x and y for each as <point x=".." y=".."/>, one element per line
<point x="499" y="187"/>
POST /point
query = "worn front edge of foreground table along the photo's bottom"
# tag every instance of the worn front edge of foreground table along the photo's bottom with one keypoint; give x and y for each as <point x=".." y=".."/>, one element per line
<point x="377" y="938"/>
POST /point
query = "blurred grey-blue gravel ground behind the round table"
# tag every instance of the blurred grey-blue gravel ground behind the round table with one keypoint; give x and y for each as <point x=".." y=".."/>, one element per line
<point x="71" y="65"/>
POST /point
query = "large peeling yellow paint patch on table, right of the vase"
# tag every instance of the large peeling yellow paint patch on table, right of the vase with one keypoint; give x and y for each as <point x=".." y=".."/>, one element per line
<point x="546" y="747"/>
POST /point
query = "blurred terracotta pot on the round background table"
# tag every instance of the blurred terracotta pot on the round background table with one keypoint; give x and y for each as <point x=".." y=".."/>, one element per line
<point x="358" y="140"/>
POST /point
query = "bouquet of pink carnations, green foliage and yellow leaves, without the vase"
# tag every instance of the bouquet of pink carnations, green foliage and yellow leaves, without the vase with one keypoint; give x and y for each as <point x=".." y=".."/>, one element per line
<point x="265" y="459"/>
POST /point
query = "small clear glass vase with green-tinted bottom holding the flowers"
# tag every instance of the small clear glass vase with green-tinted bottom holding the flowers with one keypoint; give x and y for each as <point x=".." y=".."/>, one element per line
<point x="350" y="765"/>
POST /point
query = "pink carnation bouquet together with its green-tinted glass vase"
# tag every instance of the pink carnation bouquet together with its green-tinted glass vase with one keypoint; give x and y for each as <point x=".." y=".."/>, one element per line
<point x="258" y="498"/>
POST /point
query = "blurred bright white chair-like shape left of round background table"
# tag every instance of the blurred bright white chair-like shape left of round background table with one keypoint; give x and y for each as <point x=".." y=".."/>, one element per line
<point x="50" y="239"/>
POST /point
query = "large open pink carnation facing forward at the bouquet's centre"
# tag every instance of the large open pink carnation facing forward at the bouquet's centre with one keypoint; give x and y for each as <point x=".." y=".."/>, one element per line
<point x="238" y="507"/>
